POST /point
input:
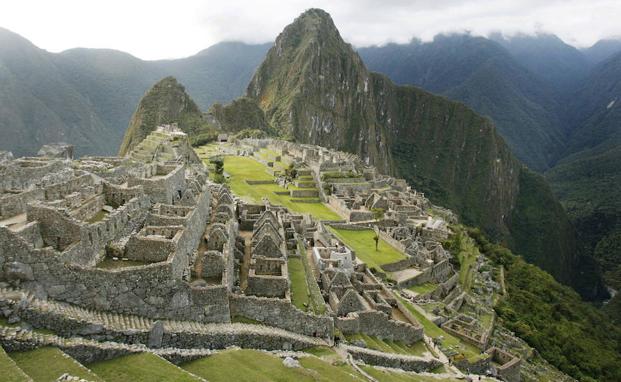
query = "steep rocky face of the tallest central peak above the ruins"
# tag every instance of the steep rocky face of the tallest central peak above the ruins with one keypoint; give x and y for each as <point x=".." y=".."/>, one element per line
<point x="315" y="89"/>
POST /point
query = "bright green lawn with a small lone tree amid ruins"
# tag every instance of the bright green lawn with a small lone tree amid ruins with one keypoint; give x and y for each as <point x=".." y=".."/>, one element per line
<point x="363" y="244"/>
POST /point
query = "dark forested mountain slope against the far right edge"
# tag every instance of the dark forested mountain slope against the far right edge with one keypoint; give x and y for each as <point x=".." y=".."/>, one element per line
<point x="588" y="179"/>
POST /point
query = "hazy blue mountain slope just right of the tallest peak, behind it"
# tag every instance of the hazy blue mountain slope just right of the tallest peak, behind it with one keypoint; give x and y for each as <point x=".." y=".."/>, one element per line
<point x="482" y="74"/>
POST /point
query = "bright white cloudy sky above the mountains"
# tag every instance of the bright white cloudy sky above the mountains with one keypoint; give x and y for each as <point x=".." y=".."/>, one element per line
<point x="153" y="29"/>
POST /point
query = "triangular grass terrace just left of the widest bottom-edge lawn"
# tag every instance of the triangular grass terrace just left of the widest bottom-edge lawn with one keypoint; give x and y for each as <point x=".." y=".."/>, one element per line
<point x="140" y="367"/>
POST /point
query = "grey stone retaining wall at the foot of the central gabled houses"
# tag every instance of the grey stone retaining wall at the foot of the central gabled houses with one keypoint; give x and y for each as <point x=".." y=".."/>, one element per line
<point x="282" y="314"/>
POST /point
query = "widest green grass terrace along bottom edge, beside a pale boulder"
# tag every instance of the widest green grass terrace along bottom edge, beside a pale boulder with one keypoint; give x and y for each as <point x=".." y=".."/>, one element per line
<point x="252" y="365"/>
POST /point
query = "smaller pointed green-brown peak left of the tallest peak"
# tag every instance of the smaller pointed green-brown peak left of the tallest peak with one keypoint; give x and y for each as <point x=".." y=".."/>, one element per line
<point x="166" y="102"/>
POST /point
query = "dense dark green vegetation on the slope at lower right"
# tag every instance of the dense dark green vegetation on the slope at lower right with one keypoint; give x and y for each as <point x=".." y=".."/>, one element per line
<point x="569" y="333"/>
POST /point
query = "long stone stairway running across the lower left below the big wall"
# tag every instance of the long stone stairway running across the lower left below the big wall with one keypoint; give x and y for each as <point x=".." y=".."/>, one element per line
<point x="70" y="320"/>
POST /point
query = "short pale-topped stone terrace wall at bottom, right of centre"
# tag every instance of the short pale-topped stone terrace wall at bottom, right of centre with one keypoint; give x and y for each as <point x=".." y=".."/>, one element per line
<point x="397" y="361"/>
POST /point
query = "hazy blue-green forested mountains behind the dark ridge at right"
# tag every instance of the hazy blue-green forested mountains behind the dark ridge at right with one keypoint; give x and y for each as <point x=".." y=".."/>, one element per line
<point x="581" y="101"/>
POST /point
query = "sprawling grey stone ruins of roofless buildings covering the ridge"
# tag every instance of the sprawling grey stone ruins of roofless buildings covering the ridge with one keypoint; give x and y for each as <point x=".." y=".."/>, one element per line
<point x="144" y="249"/>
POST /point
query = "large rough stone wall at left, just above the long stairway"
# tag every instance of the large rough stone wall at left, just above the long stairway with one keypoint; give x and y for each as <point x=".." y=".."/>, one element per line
<point x="154" y="290"/>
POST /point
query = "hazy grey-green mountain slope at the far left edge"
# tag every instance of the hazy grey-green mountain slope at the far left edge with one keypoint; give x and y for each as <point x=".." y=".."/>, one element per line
<point x="39" y="106"/>
